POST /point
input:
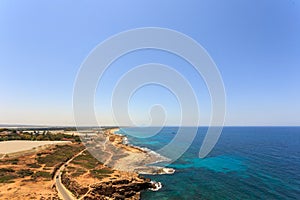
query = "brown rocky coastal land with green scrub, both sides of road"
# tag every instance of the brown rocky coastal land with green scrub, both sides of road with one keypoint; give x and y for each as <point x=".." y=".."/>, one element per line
<point x="115" y="174"/>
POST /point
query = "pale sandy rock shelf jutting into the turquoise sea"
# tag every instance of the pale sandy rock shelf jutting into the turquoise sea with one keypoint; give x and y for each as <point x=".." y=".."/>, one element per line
<point x="111" y="149"/>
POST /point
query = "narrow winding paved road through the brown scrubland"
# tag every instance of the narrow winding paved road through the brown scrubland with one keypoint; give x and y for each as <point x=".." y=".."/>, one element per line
<point x="63" y="192"/>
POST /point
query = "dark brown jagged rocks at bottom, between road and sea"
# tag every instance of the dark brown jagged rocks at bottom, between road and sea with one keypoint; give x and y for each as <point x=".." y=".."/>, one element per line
<point x="119" y="185"/>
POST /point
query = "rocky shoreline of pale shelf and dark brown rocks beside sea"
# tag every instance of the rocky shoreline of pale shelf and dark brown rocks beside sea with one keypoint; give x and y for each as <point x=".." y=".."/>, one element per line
<point x="127" y="162"/>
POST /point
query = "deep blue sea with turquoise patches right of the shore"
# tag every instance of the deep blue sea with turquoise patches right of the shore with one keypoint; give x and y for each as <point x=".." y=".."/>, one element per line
<point x="246" y="163"/>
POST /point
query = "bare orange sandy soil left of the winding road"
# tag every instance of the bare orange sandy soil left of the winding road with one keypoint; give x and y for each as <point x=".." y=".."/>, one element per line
<point x="29" y="187"/>
